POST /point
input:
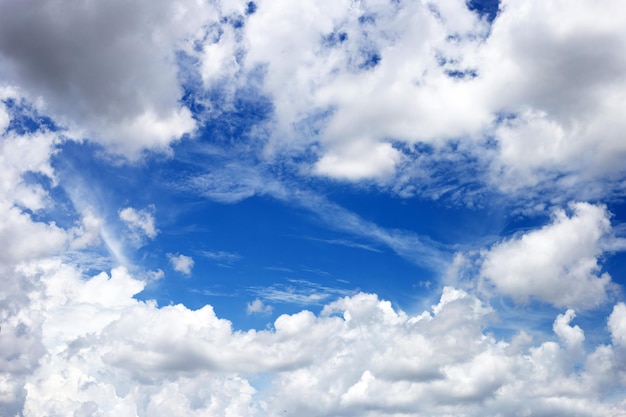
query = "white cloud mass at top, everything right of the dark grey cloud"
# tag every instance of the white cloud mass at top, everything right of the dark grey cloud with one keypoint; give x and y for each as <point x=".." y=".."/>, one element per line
<point x="535" y="96"/>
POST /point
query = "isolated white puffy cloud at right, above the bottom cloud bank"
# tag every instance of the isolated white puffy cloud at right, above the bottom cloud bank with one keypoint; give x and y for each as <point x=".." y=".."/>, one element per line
<point x="558" y="263"/>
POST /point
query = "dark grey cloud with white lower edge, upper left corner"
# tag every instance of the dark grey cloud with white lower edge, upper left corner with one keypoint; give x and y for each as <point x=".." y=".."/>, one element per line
<point x="105" y="69"/>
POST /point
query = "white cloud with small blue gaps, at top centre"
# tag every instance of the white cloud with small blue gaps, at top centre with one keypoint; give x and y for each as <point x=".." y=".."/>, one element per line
<point x="365" y="73"/>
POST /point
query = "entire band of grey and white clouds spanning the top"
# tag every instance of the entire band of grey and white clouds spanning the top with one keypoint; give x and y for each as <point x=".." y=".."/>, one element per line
<point x="534" y="95"/>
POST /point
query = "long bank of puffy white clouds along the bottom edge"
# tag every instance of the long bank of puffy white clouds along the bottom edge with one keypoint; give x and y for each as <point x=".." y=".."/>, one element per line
<point x="87" y="347"/>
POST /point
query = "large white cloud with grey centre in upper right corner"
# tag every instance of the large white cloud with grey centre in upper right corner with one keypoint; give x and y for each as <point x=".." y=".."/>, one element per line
<point x="555" y="66"/>
